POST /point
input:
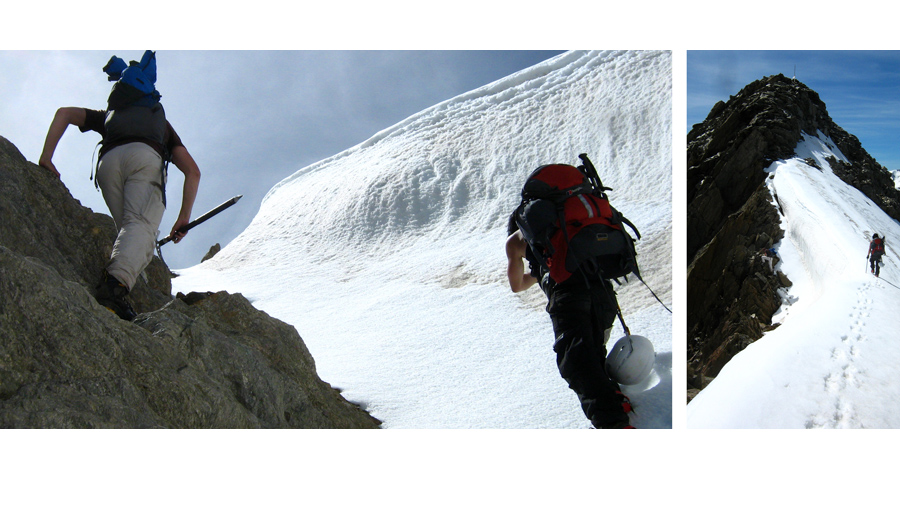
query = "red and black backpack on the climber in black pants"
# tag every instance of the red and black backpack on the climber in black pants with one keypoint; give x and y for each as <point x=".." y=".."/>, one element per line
<point x="593" y="238"/>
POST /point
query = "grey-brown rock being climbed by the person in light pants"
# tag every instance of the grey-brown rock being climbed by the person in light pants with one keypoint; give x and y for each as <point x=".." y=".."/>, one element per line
<point x="196" y="361"/>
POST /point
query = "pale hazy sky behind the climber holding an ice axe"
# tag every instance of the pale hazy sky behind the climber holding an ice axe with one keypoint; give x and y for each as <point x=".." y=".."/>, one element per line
<point x="249" y="118"/>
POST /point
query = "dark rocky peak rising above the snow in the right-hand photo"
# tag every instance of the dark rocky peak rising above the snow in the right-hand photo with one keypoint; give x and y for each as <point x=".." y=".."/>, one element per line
<point x="731" y="293"/>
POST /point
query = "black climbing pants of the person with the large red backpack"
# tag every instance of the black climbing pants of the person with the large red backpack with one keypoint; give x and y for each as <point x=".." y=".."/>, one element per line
<point x="581" y="312"/>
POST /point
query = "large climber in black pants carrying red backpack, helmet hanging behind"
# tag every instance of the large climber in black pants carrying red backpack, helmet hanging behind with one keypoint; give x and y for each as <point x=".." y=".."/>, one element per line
<point x="574" y="266"/>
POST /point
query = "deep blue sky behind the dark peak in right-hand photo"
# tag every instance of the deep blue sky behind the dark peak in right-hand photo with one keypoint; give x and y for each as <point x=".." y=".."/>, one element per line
<point x="861" y="89"/>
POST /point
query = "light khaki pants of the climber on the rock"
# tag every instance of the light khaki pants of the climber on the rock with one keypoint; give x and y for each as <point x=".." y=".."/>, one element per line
<point x="130" y="177"/>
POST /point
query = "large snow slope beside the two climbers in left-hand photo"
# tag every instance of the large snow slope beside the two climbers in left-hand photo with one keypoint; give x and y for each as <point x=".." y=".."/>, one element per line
<point x="389" y="257"/>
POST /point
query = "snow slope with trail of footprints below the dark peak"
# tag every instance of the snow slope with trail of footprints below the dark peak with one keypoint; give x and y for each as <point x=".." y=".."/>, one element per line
<point x="832" y="362"/>
